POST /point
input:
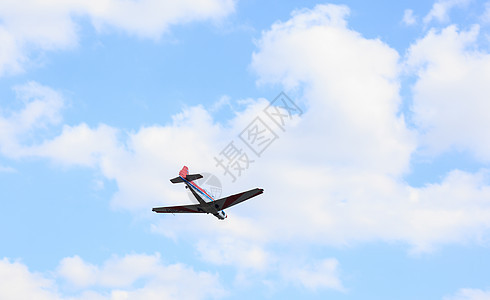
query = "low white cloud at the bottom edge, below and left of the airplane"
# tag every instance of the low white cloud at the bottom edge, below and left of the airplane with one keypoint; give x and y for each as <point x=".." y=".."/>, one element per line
<point x="159" y="281"/>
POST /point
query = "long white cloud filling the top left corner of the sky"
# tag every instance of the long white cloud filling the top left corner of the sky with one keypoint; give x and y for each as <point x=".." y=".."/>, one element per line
<point x="35" y="25"/>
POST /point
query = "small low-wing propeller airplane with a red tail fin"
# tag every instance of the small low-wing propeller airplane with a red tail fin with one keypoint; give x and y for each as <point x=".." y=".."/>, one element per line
<point x="206" y="204"/>
